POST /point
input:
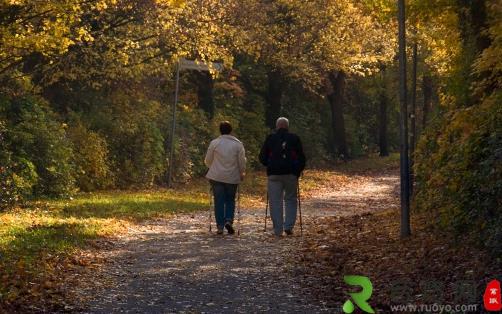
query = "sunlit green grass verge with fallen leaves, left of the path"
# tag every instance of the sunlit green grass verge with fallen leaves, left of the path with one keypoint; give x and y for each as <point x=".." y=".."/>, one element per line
<point x="37" y="242"/>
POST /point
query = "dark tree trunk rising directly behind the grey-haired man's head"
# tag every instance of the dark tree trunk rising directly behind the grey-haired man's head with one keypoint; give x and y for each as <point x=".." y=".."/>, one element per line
<point x="274" y="97"/>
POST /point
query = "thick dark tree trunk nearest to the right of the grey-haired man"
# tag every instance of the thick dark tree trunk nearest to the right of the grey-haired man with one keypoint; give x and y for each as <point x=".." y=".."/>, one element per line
<point x="336" y="100"/>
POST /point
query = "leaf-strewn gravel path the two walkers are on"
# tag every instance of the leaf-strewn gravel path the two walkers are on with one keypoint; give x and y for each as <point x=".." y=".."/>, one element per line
<point x="177" y="266"/>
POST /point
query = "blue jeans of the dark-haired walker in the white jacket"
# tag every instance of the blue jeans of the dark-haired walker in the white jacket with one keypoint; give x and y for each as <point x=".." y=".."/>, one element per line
<point x="224" y="202"/>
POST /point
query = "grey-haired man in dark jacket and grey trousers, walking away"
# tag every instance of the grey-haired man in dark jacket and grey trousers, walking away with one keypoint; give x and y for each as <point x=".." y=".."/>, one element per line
<point x="282" y="154"/>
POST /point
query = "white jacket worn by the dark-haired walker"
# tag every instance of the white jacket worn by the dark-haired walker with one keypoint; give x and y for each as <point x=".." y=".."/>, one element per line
<point x="226" y="159"/>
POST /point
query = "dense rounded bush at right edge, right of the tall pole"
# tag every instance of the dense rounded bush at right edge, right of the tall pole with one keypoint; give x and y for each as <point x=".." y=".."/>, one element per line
<point x="459" y="171"/>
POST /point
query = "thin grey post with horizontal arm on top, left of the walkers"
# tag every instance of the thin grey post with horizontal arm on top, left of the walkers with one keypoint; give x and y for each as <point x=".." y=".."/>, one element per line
<point x="184" y="64"/>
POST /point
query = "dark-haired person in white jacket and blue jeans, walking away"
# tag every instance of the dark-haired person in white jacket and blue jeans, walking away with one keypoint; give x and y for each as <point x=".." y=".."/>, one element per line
<point x="226" y="160"/>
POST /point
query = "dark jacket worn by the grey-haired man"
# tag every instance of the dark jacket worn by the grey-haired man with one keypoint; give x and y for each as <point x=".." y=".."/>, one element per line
<point x="282" y="153"/>
